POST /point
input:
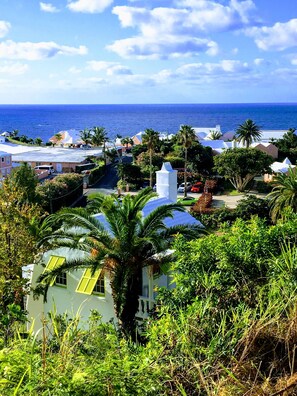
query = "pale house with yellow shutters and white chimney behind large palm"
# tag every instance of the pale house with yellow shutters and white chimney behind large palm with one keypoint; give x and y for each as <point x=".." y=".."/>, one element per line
<point x="83" y="291"/>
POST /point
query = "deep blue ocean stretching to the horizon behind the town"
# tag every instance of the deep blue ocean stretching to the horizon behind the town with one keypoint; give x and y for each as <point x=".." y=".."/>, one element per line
<point x="45" y="120"/>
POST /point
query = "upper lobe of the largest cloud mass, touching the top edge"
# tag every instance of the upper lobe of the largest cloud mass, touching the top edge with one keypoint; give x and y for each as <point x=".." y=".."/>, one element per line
<point x="202" y="17"/>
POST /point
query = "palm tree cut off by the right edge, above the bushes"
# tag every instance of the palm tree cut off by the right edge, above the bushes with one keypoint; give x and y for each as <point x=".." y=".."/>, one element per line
<point x="284" y="193"/>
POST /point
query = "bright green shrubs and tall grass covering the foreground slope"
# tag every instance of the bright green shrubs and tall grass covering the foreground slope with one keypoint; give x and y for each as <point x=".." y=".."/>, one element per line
<point x="228" y="328"/>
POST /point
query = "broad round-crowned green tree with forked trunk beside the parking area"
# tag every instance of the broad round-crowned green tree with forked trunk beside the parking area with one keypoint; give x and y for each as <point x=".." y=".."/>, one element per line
<point x="241" y="165"/>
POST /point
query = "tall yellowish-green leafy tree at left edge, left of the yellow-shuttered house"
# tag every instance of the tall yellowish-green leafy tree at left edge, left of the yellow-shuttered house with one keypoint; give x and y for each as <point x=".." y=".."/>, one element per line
<point x="18" y="220"/>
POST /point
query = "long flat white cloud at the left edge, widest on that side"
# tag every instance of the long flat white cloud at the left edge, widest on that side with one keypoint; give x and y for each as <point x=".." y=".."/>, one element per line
<point x="36" y="51"/>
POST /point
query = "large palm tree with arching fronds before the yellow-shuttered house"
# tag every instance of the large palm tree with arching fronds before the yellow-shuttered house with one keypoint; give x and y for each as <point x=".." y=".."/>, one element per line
<point x="129" y="243"/>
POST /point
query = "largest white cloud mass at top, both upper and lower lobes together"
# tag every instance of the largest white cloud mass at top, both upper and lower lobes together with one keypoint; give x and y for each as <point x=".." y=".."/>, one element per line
<point x="172" y="32"/>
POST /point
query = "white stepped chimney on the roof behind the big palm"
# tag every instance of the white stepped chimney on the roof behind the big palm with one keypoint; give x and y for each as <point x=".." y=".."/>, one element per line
<point x="167" y="182"/>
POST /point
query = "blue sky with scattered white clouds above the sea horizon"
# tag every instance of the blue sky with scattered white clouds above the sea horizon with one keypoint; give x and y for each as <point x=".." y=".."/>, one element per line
<point x="152" y="51"/>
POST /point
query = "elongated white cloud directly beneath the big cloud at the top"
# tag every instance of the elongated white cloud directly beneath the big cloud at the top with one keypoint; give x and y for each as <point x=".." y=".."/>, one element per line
<point x="166" y="47"/>
